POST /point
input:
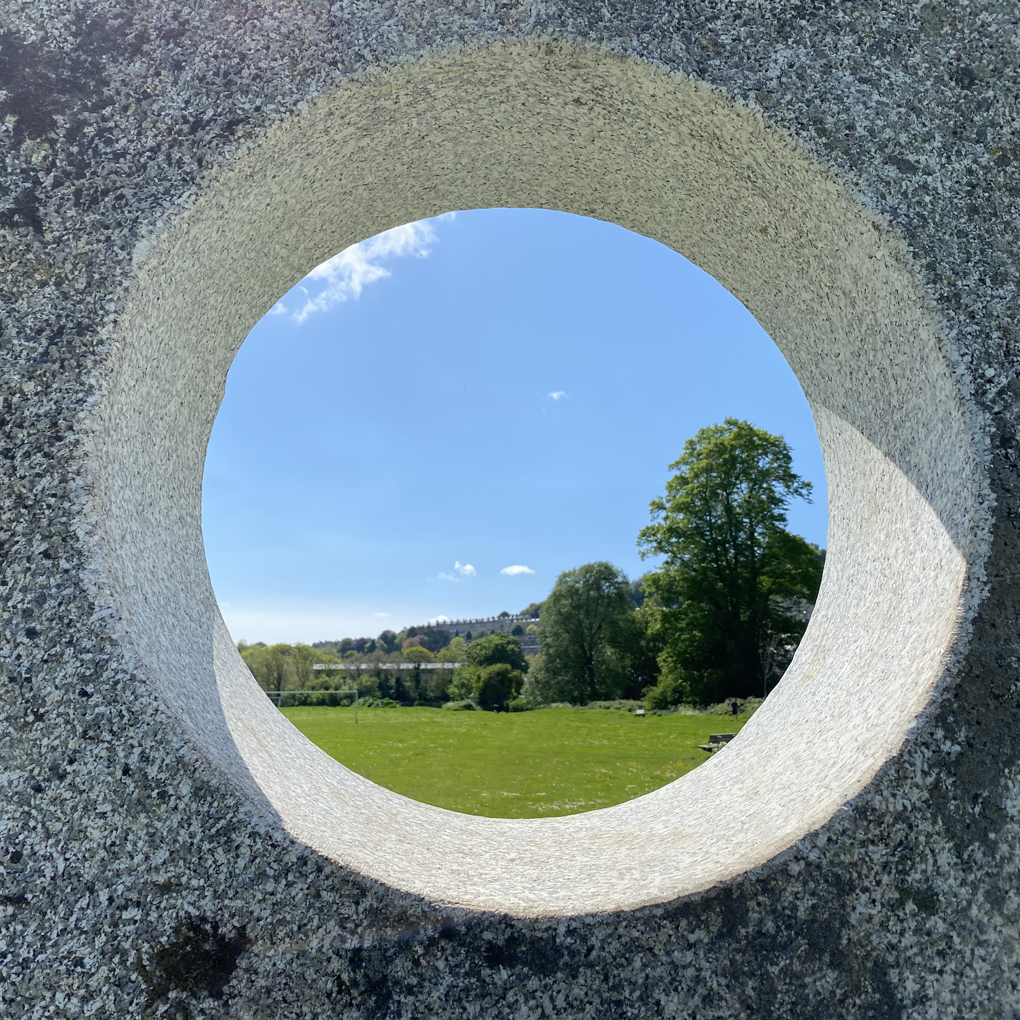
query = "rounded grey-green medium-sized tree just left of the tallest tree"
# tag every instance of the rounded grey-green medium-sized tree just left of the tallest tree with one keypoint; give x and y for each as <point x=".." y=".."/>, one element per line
<point x="588" y="630"/>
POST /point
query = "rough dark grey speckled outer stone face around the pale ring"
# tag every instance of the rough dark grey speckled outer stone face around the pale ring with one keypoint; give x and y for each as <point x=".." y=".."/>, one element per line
<point x="136" y="881"/>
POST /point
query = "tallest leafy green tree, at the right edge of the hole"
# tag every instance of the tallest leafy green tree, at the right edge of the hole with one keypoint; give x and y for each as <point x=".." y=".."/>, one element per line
<point x="721" y="601"/>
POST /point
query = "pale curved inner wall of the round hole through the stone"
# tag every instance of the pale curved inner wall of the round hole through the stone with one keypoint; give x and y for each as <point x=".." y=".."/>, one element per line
<point x="560" y="128"/>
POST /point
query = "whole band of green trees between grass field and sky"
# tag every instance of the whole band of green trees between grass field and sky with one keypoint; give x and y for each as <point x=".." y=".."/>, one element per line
<point x="720" y="618"/>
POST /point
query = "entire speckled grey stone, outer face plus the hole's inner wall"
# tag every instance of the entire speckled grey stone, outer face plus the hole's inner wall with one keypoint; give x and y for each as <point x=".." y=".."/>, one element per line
<point x="170" y="846"/>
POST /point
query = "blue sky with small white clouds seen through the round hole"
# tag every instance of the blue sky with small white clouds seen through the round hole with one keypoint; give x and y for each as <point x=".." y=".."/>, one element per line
<point x="441" y="420"/>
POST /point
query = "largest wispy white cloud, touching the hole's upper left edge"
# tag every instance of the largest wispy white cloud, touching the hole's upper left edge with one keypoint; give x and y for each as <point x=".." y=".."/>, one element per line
<point x="346" y="275"/>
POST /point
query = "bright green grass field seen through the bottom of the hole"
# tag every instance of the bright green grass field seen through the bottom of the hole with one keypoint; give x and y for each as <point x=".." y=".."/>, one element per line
<point x="523" y="766"/>
